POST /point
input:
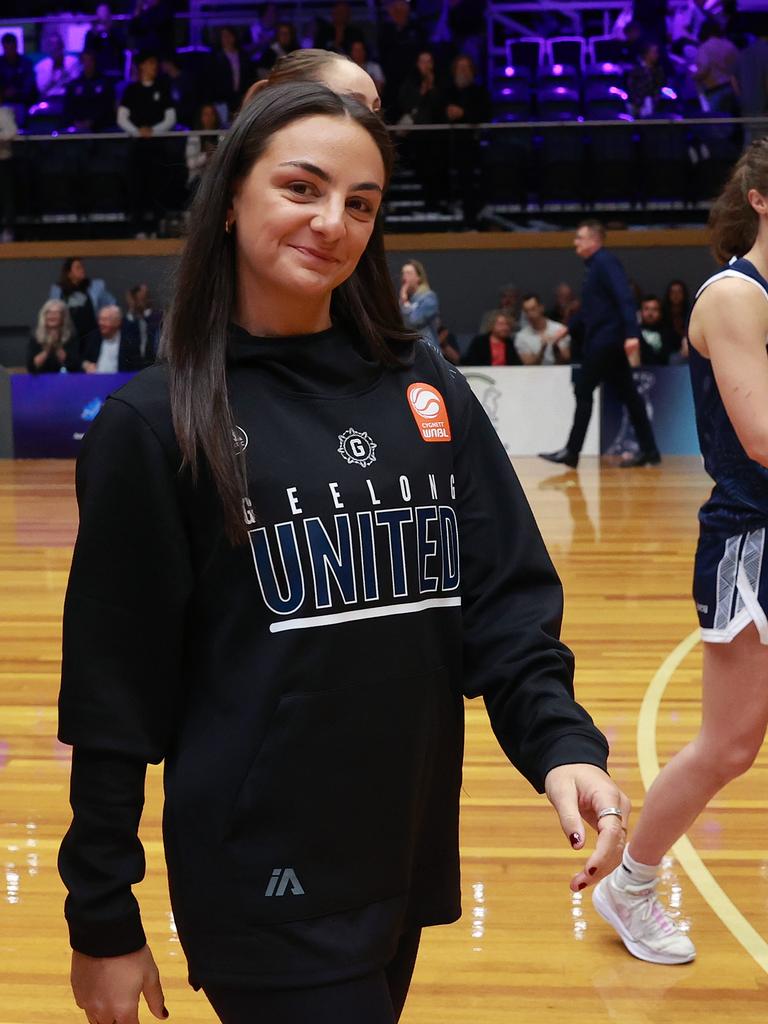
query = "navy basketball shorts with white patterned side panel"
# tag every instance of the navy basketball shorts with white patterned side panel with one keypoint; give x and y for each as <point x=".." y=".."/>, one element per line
<point x="731" y="585"/>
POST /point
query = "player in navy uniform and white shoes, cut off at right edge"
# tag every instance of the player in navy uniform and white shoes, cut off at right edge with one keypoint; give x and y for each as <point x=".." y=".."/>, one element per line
<point x="730" y="375"/>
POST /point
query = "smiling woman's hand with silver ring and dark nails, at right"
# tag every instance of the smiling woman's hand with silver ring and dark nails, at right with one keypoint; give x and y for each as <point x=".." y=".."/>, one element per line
<point x="579" y="793"/>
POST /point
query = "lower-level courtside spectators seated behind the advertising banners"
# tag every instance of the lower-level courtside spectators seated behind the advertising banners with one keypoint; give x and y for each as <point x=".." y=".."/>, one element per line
<point x="81" y="328"/>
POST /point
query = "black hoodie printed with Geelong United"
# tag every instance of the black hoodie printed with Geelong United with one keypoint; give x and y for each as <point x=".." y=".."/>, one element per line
<point x="306" y="691"/>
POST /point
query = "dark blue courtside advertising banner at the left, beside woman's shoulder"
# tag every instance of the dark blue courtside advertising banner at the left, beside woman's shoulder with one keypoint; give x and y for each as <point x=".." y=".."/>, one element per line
<point x="53" y="412"/>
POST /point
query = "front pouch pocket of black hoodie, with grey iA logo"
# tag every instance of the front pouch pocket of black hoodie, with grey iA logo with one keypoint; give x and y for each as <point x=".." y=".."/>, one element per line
<point x="329" y="816"/>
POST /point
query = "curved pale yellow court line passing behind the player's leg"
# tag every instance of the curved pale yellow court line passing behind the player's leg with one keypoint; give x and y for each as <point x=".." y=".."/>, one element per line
<point x="690" y="861"/>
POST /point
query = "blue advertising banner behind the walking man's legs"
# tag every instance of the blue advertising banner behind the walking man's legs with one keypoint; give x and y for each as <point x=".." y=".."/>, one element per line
<point x="669" y="402"/>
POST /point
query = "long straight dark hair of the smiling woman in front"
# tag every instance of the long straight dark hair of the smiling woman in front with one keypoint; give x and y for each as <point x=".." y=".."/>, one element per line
<point x="196" y="331"/>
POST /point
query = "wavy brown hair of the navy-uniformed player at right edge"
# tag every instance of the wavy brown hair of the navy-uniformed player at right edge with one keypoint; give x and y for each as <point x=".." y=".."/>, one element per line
<point x="733" y="221"/>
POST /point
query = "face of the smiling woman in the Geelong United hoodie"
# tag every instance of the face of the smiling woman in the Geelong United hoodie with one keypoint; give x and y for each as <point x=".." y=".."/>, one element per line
<point x="306" y="211"/>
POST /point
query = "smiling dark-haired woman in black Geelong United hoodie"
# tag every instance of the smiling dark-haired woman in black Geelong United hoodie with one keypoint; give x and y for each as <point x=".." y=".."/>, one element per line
<point x="300" y="461"/>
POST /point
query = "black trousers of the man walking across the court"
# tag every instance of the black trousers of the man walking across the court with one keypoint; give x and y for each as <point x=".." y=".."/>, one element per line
<point x="609" y="365"/>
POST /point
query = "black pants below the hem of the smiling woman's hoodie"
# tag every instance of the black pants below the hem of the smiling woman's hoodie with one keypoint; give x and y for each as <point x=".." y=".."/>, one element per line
<point x="375" y="999"/>
